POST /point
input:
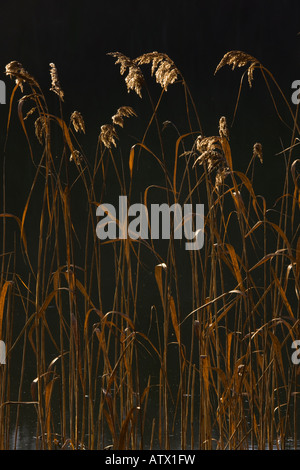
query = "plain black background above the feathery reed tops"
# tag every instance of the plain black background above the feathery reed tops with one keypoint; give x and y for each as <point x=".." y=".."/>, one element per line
<point x="77" y="36"/>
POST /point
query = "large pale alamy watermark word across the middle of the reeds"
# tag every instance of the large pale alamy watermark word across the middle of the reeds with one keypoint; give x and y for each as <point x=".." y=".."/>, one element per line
<point x="136" y="222"/>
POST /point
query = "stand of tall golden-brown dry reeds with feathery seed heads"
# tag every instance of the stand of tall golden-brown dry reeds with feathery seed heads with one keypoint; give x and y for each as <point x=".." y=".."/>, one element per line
<point x="133" y="344"/>
